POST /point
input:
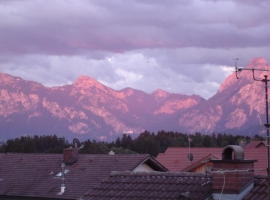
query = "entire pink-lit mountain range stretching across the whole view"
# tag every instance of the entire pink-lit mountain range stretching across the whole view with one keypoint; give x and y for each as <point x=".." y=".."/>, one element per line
<point x="87" y="109"/>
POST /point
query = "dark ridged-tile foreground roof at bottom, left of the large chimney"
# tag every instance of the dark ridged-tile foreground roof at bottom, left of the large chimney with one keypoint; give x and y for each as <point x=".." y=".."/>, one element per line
<point x="152" y="185"/>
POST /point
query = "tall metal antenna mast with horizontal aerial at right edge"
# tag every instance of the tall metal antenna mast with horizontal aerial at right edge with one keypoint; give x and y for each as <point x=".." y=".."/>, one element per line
<point x="267" y="125"/>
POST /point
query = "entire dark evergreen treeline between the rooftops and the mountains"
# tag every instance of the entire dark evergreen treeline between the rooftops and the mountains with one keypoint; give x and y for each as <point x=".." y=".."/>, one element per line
<point x="145" y="143"/>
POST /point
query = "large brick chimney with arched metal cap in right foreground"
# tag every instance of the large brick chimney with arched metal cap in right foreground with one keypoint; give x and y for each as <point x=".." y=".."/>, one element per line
<point x="233" y="177"/>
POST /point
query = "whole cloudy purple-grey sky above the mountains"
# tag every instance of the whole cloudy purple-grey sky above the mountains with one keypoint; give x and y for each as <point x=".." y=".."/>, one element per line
<point x="180" y="46"/>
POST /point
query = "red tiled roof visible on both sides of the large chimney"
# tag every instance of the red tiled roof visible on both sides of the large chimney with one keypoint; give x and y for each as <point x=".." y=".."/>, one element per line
<point x="176" y="158"/>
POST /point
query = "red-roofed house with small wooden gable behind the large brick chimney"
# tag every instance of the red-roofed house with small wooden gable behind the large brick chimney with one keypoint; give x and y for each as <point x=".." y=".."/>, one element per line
<point x="176" y="159"/>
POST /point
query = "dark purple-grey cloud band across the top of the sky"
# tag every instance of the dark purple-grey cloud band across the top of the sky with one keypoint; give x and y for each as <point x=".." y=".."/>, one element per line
<point x="64" y="27"/>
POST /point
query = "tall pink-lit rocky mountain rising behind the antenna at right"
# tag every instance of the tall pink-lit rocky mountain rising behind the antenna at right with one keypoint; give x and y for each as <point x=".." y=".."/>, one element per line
<point x="237" y="108"/>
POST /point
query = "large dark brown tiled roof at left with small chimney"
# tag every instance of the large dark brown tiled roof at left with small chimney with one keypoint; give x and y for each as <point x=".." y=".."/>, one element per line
<point x="35" y="174"/>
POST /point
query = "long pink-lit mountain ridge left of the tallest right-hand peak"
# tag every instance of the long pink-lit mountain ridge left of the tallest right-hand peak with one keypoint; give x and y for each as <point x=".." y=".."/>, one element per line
<point x="86" y="109"/>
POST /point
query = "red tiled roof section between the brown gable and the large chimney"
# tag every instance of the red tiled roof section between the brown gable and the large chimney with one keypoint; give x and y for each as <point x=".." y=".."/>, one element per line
<point x="176" y="158"/>
